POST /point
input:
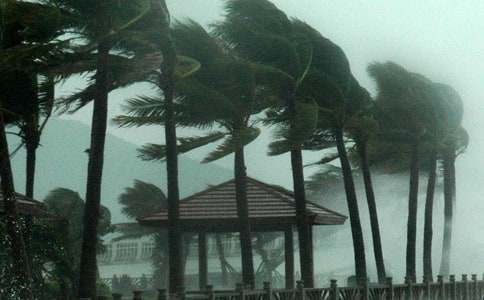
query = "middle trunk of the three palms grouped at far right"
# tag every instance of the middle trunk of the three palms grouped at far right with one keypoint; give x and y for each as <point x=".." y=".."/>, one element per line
<point x="429" y="207"/>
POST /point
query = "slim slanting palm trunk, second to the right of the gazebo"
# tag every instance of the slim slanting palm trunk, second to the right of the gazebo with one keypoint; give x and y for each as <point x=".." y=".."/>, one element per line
<point x="370" y="198"/>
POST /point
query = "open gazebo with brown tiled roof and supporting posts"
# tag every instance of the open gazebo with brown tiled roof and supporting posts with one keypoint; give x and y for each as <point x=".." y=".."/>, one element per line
<point x="271" y="208"/>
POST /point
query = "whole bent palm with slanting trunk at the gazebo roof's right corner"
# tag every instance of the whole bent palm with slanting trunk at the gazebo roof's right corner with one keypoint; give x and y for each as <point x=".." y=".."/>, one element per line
<point x="340" y="99"/>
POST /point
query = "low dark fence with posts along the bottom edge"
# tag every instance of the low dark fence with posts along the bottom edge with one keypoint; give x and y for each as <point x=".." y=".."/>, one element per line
<point x="465" y="289"/>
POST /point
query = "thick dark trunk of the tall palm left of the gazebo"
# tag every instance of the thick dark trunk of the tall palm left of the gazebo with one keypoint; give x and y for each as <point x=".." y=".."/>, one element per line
<point x="88" y="265"/>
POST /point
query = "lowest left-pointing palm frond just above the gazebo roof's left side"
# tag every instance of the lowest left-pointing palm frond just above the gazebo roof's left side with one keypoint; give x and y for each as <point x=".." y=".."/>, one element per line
<point x="151" y="152"/>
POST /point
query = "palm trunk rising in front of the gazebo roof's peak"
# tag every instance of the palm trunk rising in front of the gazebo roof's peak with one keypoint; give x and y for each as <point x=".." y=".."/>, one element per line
<point x="248" y="276"/>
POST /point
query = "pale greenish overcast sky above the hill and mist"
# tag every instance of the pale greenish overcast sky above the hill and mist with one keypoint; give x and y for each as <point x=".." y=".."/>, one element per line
<point x="441" y="39"/>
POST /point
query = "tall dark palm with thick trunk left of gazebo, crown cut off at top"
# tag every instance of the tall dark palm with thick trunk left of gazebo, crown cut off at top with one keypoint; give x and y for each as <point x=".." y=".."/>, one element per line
<point x="104" y="25"/>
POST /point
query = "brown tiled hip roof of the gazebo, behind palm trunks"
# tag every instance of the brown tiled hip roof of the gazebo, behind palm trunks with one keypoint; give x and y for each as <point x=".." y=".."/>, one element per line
<point x="269" y="206"/>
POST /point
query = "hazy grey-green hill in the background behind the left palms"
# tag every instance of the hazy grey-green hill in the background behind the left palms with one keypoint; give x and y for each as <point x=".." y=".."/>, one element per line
<point x="62" y="162"/>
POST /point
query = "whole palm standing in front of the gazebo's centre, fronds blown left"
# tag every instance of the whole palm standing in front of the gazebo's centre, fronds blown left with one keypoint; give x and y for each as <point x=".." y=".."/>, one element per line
<point x="221" y="94"/>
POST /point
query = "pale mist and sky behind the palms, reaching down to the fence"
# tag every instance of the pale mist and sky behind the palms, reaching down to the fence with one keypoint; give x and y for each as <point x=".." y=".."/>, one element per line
<point x="439" y="39"/>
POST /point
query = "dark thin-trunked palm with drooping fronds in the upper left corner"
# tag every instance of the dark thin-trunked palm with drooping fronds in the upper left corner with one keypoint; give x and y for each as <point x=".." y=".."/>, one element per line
<point x="31" y="25"/>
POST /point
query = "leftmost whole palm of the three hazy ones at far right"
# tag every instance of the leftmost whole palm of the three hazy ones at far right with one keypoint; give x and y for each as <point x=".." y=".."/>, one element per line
<point x="406" y="103"/>
